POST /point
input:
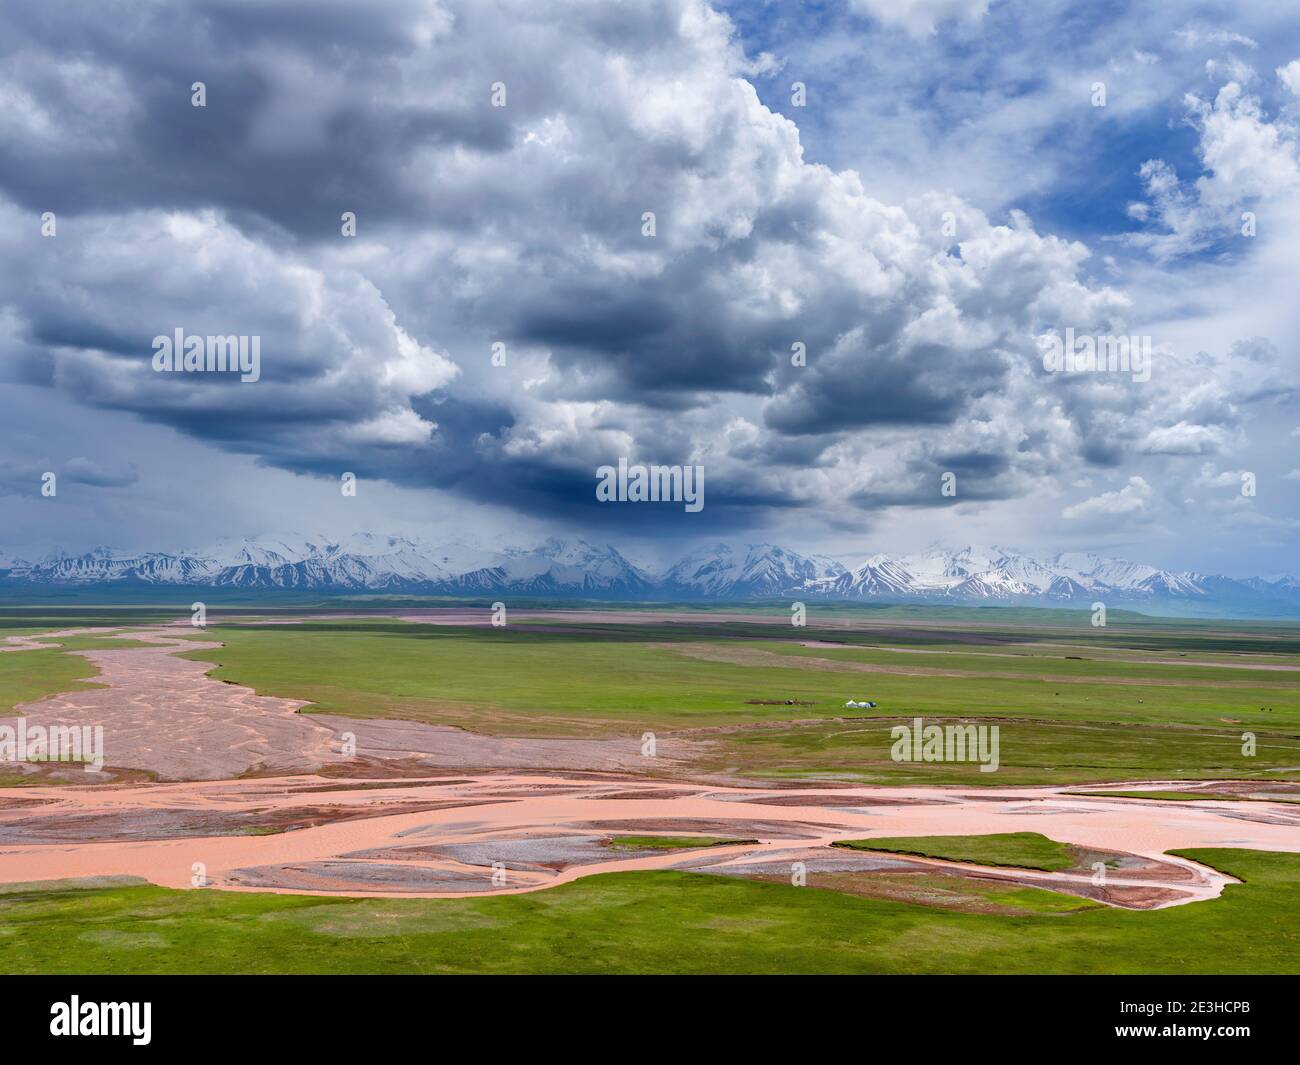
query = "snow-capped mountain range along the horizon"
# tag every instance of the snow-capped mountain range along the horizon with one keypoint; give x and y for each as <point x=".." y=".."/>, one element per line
<point x="720" y="572"/>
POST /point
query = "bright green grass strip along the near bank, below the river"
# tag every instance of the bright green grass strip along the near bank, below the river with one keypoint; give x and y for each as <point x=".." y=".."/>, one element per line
<point x="648" y="923"/>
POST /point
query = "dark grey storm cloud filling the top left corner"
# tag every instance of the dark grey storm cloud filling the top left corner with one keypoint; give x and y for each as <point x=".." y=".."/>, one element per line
<point x="305" y="111"/>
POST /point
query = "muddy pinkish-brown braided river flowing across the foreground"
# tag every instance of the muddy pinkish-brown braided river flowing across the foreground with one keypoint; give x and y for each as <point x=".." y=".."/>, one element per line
<point x="426" y="829"/>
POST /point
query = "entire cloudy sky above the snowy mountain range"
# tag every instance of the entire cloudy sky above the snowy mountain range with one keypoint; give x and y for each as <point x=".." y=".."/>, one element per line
<point x="917" y="194"/>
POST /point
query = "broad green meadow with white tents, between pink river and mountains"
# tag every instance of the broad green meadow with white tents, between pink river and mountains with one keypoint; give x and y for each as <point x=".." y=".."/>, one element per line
<point x="1063" y="721"/>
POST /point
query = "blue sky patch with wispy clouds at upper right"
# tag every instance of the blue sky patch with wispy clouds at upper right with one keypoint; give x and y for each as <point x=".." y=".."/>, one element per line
<point x="952" y="75"/>
